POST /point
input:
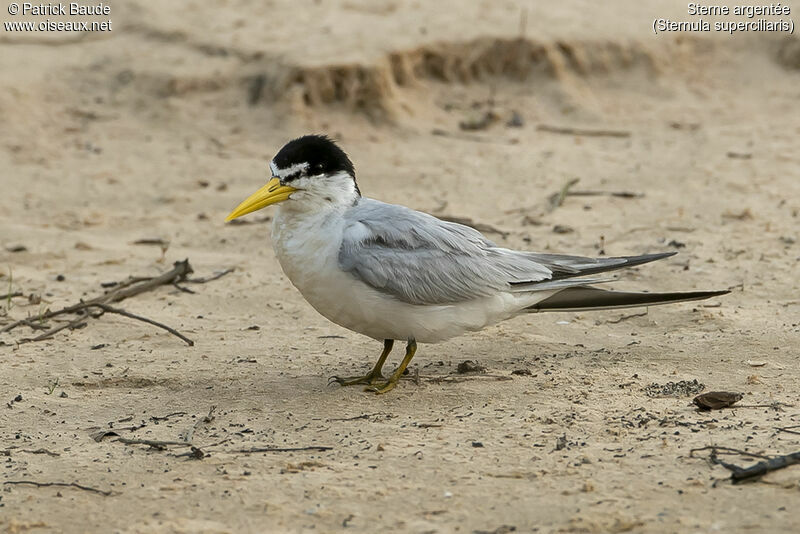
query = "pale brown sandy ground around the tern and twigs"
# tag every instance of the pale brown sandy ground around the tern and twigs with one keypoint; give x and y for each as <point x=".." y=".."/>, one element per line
<point x="157" y="129"/>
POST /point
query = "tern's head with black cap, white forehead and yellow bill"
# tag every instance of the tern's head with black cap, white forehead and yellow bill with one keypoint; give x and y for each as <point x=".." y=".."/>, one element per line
<point x="307" y="173"/>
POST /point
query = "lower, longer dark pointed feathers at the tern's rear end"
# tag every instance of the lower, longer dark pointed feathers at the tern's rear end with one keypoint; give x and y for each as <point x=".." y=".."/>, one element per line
<point x="592" y="298"/>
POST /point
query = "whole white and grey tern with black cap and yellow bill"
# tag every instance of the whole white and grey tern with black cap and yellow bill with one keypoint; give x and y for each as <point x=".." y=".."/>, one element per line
<point x="393" y="273"/>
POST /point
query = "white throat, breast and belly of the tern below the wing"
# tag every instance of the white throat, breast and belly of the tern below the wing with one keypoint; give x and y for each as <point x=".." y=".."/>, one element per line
<point x="308" y="248"/>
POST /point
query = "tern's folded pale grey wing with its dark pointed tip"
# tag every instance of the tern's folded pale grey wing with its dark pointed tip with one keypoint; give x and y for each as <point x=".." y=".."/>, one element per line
<point x="420" y="259"/>
